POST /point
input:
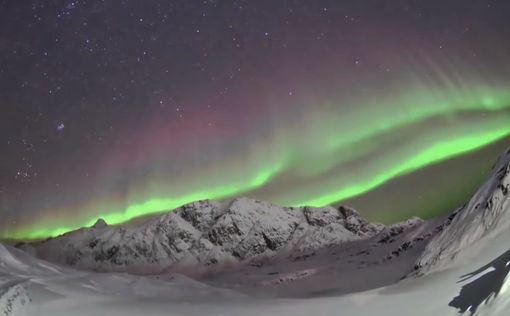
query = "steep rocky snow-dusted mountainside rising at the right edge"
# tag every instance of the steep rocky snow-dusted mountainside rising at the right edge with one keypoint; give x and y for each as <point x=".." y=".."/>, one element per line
<point x="487" y="213"/>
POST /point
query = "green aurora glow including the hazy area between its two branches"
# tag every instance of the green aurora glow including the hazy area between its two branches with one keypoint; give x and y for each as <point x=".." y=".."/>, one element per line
<point x="328" y="144"/>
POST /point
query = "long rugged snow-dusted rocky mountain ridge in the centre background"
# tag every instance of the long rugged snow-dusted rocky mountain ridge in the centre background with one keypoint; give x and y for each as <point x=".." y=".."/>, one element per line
<point x="207" y="233"/>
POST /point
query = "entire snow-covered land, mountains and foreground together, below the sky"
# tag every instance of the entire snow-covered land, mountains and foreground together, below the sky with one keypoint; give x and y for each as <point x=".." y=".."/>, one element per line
<point x="315" y="253"/>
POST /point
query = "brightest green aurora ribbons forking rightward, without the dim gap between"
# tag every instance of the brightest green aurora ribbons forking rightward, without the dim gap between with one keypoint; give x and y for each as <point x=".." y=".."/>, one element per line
<point x="434" y="151"/>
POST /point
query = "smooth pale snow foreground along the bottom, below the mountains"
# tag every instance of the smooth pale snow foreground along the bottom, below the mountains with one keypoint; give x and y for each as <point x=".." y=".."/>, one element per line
<point x="92" y="294"/>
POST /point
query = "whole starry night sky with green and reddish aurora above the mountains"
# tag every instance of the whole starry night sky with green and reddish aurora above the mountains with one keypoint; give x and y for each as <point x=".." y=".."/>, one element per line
<point x="124" y="108"/>
